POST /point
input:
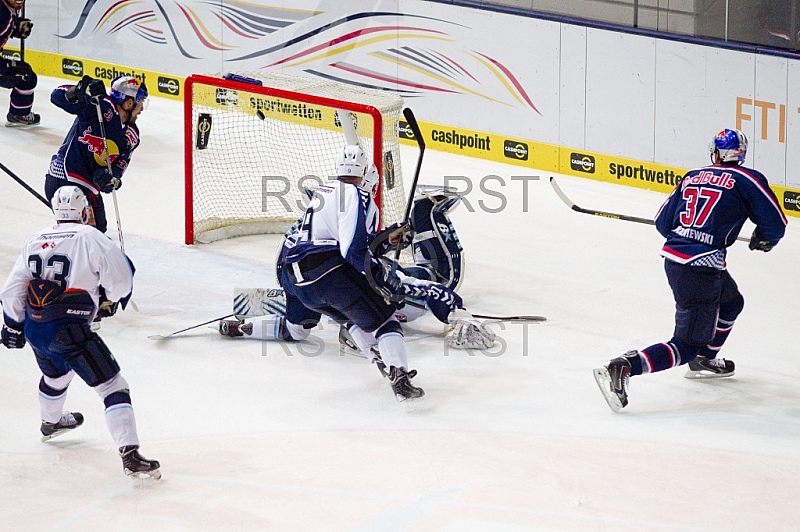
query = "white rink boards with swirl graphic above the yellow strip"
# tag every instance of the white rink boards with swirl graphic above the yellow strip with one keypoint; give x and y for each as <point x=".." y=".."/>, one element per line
<point x="589" y="89"/>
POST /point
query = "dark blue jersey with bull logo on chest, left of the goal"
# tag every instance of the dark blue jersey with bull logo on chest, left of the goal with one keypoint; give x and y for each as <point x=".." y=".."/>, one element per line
<point x="82" y="152"/>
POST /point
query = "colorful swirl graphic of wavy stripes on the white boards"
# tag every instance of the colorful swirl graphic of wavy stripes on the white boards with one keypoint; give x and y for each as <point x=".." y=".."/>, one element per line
<point x="408" y="54"/>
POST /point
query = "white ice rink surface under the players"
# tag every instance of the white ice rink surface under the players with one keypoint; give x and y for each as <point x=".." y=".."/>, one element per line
<point x="256" y="436"/>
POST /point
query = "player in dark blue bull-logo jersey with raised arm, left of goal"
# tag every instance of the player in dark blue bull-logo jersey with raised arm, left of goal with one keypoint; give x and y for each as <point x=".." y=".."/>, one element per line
<point x="81" y="158"/>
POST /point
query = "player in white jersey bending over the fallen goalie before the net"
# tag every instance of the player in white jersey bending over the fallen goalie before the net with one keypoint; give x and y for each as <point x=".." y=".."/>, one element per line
<point x="335" y="269"/>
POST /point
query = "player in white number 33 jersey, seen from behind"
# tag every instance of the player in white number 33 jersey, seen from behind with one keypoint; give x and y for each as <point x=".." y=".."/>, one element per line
<point x="66" y="274"/>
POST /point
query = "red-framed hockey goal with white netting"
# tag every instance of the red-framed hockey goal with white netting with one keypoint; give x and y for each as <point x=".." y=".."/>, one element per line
<point x="250" y="149"/>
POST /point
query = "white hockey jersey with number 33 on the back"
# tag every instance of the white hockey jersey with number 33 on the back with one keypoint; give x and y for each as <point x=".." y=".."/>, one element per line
<point x="75" y="256"/>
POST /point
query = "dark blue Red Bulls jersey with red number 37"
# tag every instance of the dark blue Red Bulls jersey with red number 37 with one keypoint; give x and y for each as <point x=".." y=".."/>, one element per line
<point x="706" y="211"/>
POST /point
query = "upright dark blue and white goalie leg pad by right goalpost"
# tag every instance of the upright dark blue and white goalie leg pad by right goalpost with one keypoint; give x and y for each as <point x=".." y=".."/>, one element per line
<point x="436" y="245"/>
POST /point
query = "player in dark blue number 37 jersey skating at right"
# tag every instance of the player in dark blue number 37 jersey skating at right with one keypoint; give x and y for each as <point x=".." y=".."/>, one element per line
<point x="700" y="219"/>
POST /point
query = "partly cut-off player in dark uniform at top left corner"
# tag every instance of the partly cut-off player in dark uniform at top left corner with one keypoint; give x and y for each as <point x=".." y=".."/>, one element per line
<point x="17" y="75"/>
